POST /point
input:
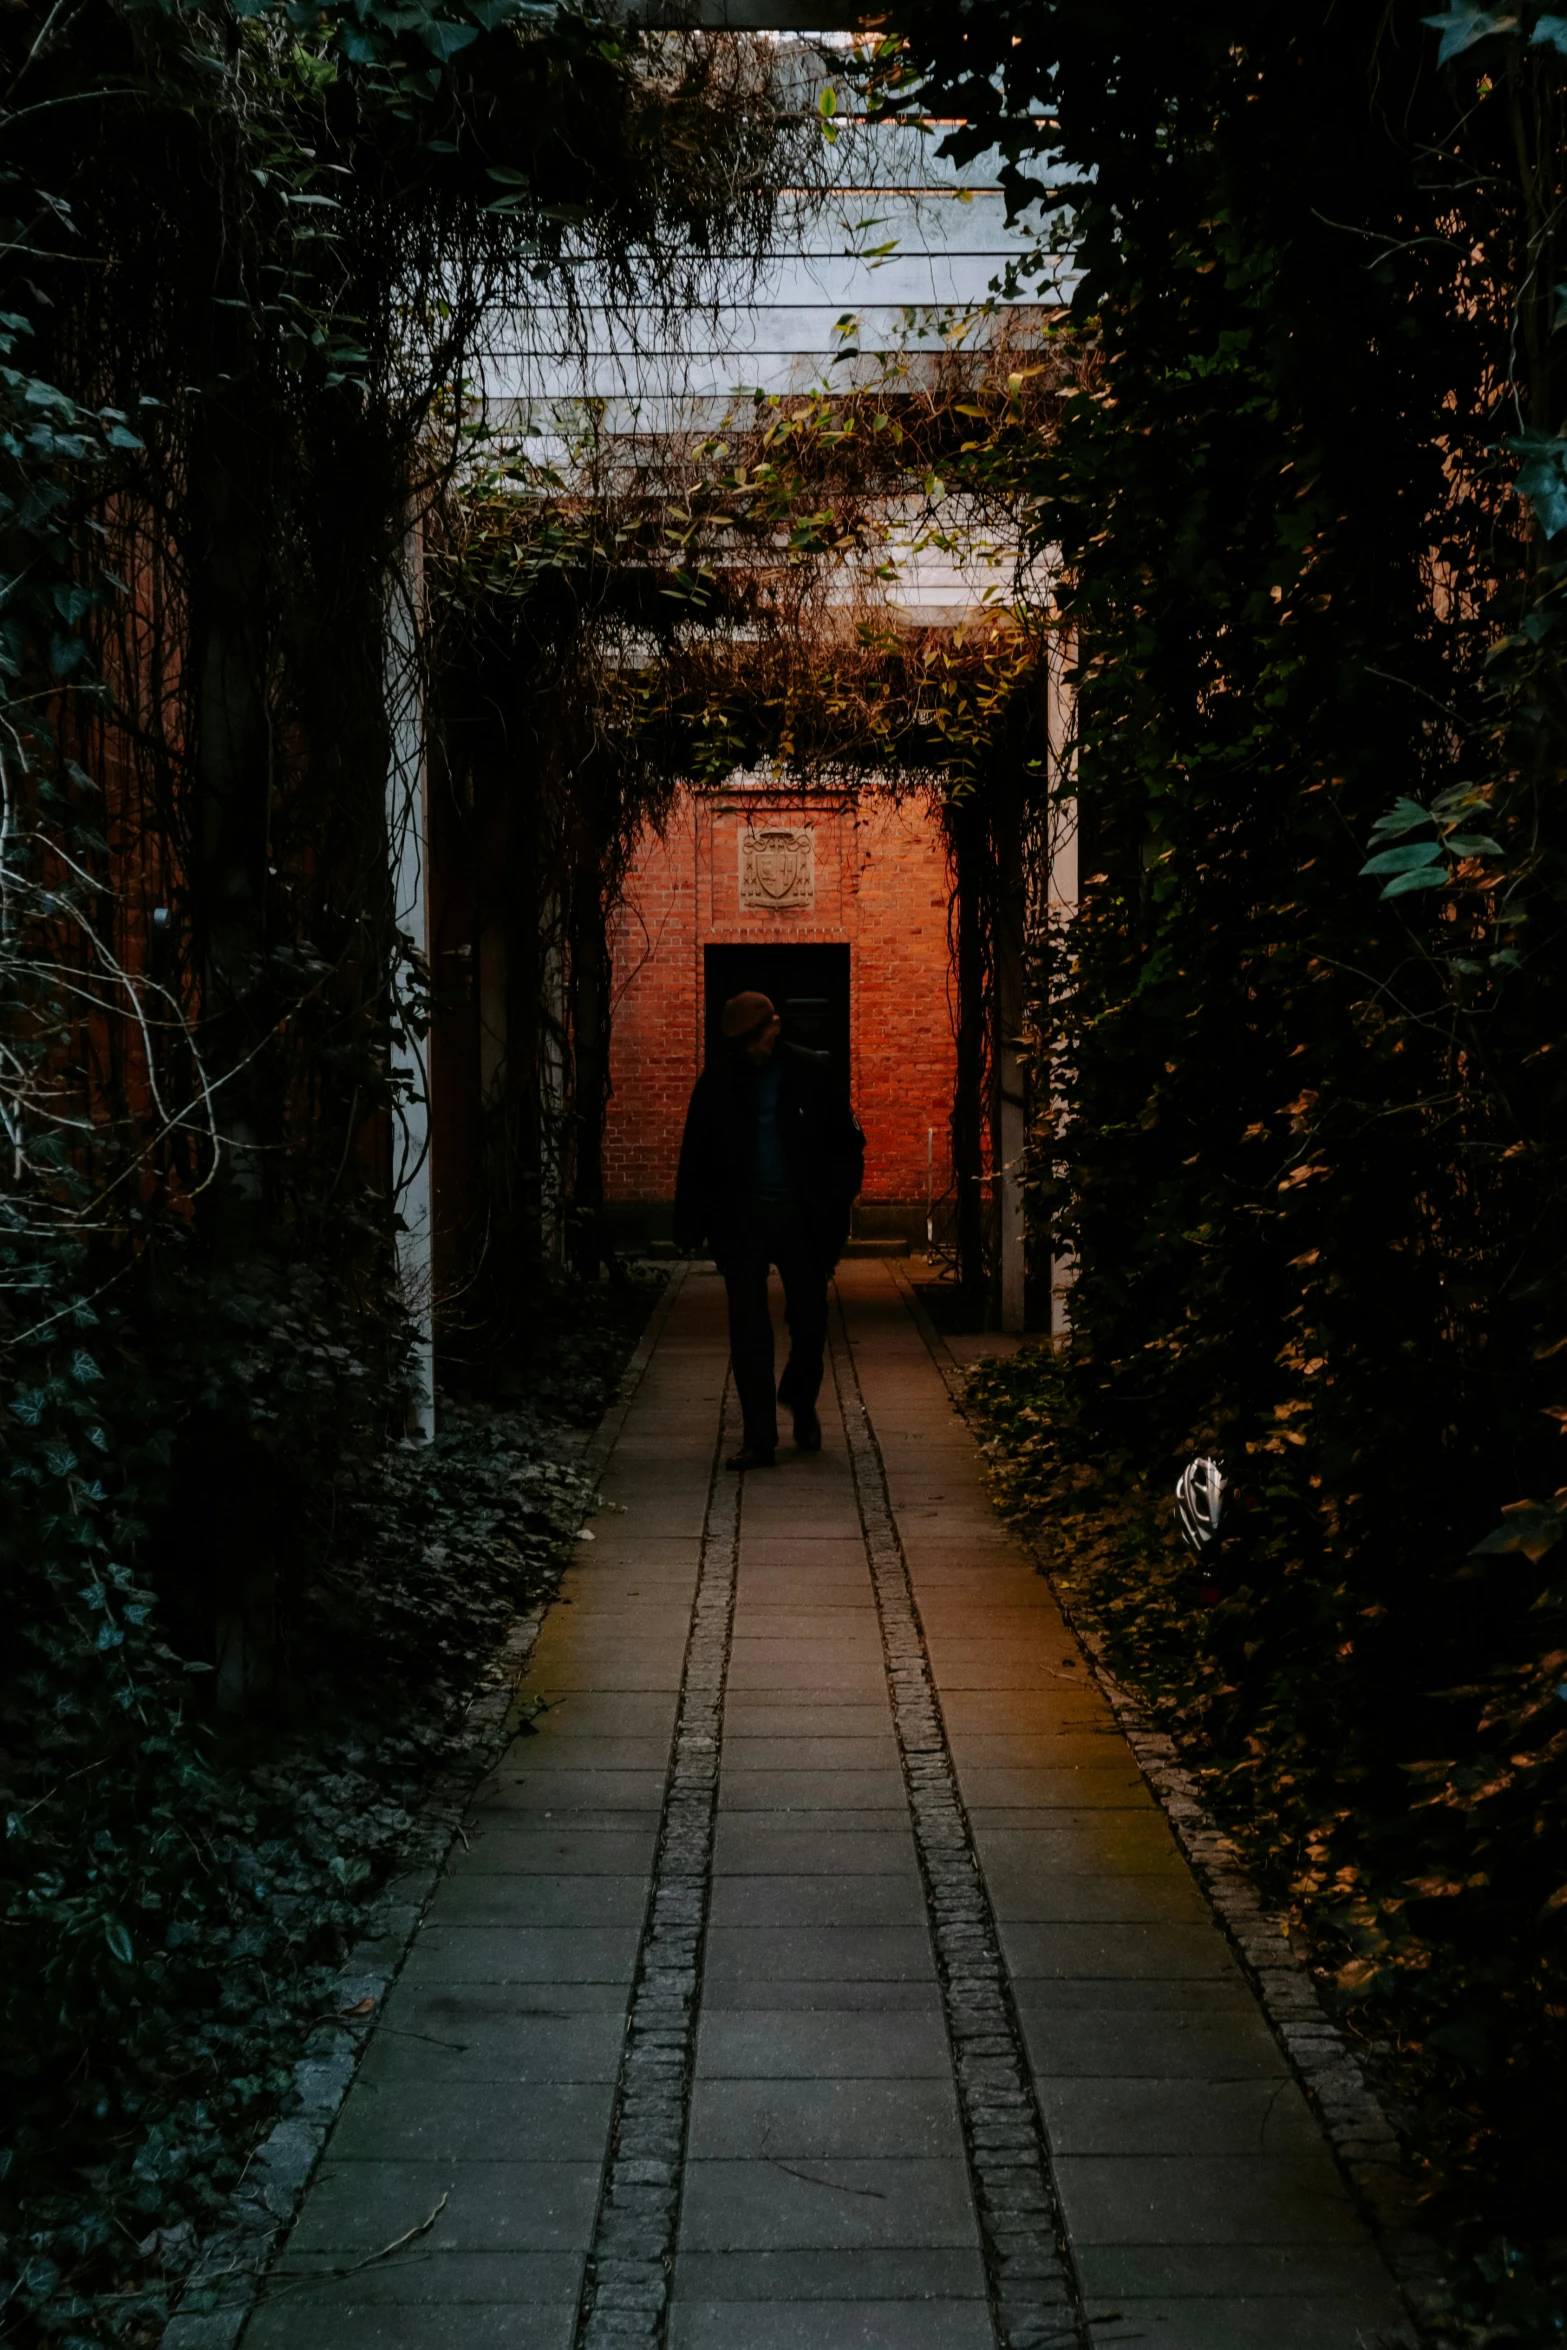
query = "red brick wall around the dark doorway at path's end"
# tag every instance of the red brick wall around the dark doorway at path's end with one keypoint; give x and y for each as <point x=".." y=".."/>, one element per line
<point x="880" y="889"/>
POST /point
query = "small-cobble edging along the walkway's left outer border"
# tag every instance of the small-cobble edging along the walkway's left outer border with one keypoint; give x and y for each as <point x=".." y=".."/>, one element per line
<point x="224" y="2285"/>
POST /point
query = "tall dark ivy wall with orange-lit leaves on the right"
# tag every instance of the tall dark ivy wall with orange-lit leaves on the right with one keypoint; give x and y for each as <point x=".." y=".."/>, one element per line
<point x="1307" y="1026"/>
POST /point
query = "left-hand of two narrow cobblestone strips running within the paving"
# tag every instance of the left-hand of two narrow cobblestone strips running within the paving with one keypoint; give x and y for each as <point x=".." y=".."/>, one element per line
<point x="626" y="2285"/>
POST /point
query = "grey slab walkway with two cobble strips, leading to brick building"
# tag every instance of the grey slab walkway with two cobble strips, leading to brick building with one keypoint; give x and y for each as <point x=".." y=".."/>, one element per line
<point x="819" y="1970"/>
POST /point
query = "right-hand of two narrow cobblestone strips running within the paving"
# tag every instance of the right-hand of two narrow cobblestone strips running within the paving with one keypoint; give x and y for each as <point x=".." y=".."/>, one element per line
<point x="1033" y="2288"/>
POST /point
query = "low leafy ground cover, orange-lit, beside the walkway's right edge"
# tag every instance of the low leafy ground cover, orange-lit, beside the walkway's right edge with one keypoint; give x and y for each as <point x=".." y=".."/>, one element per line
<point x="1366" y="1804"/>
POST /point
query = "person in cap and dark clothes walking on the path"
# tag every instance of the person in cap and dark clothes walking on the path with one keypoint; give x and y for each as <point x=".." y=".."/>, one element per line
<point x="769" y="1169"/>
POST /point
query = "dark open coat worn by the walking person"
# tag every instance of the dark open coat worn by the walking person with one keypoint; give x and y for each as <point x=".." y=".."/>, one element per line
<point x="718" y="1167"/>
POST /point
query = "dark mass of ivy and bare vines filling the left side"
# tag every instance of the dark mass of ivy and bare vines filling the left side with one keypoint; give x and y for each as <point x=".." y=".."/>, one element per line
<point x="250" y="260"/>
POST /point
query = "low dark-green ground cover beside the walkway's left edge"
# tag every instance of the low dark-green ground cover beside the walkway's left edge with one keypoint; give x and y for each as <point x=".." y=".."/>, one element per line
<point x="173" y="1928"/>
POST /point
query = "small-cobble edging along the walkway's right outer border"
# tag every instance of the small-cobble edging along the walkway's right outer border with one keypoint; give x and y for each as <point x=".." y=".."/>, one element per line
<point x="1317" y="2048"/>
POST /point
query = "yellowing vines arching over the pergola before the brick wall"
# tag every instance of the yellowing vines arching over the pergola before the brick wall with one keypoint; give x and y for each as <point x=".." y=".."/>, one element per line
<point x="668" y="607"/>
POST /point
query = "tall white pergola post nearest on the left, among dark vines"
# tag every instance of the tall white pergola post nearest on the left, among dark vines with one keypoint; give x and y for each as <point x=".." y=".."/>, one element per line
<point x="410" y="976"/>
